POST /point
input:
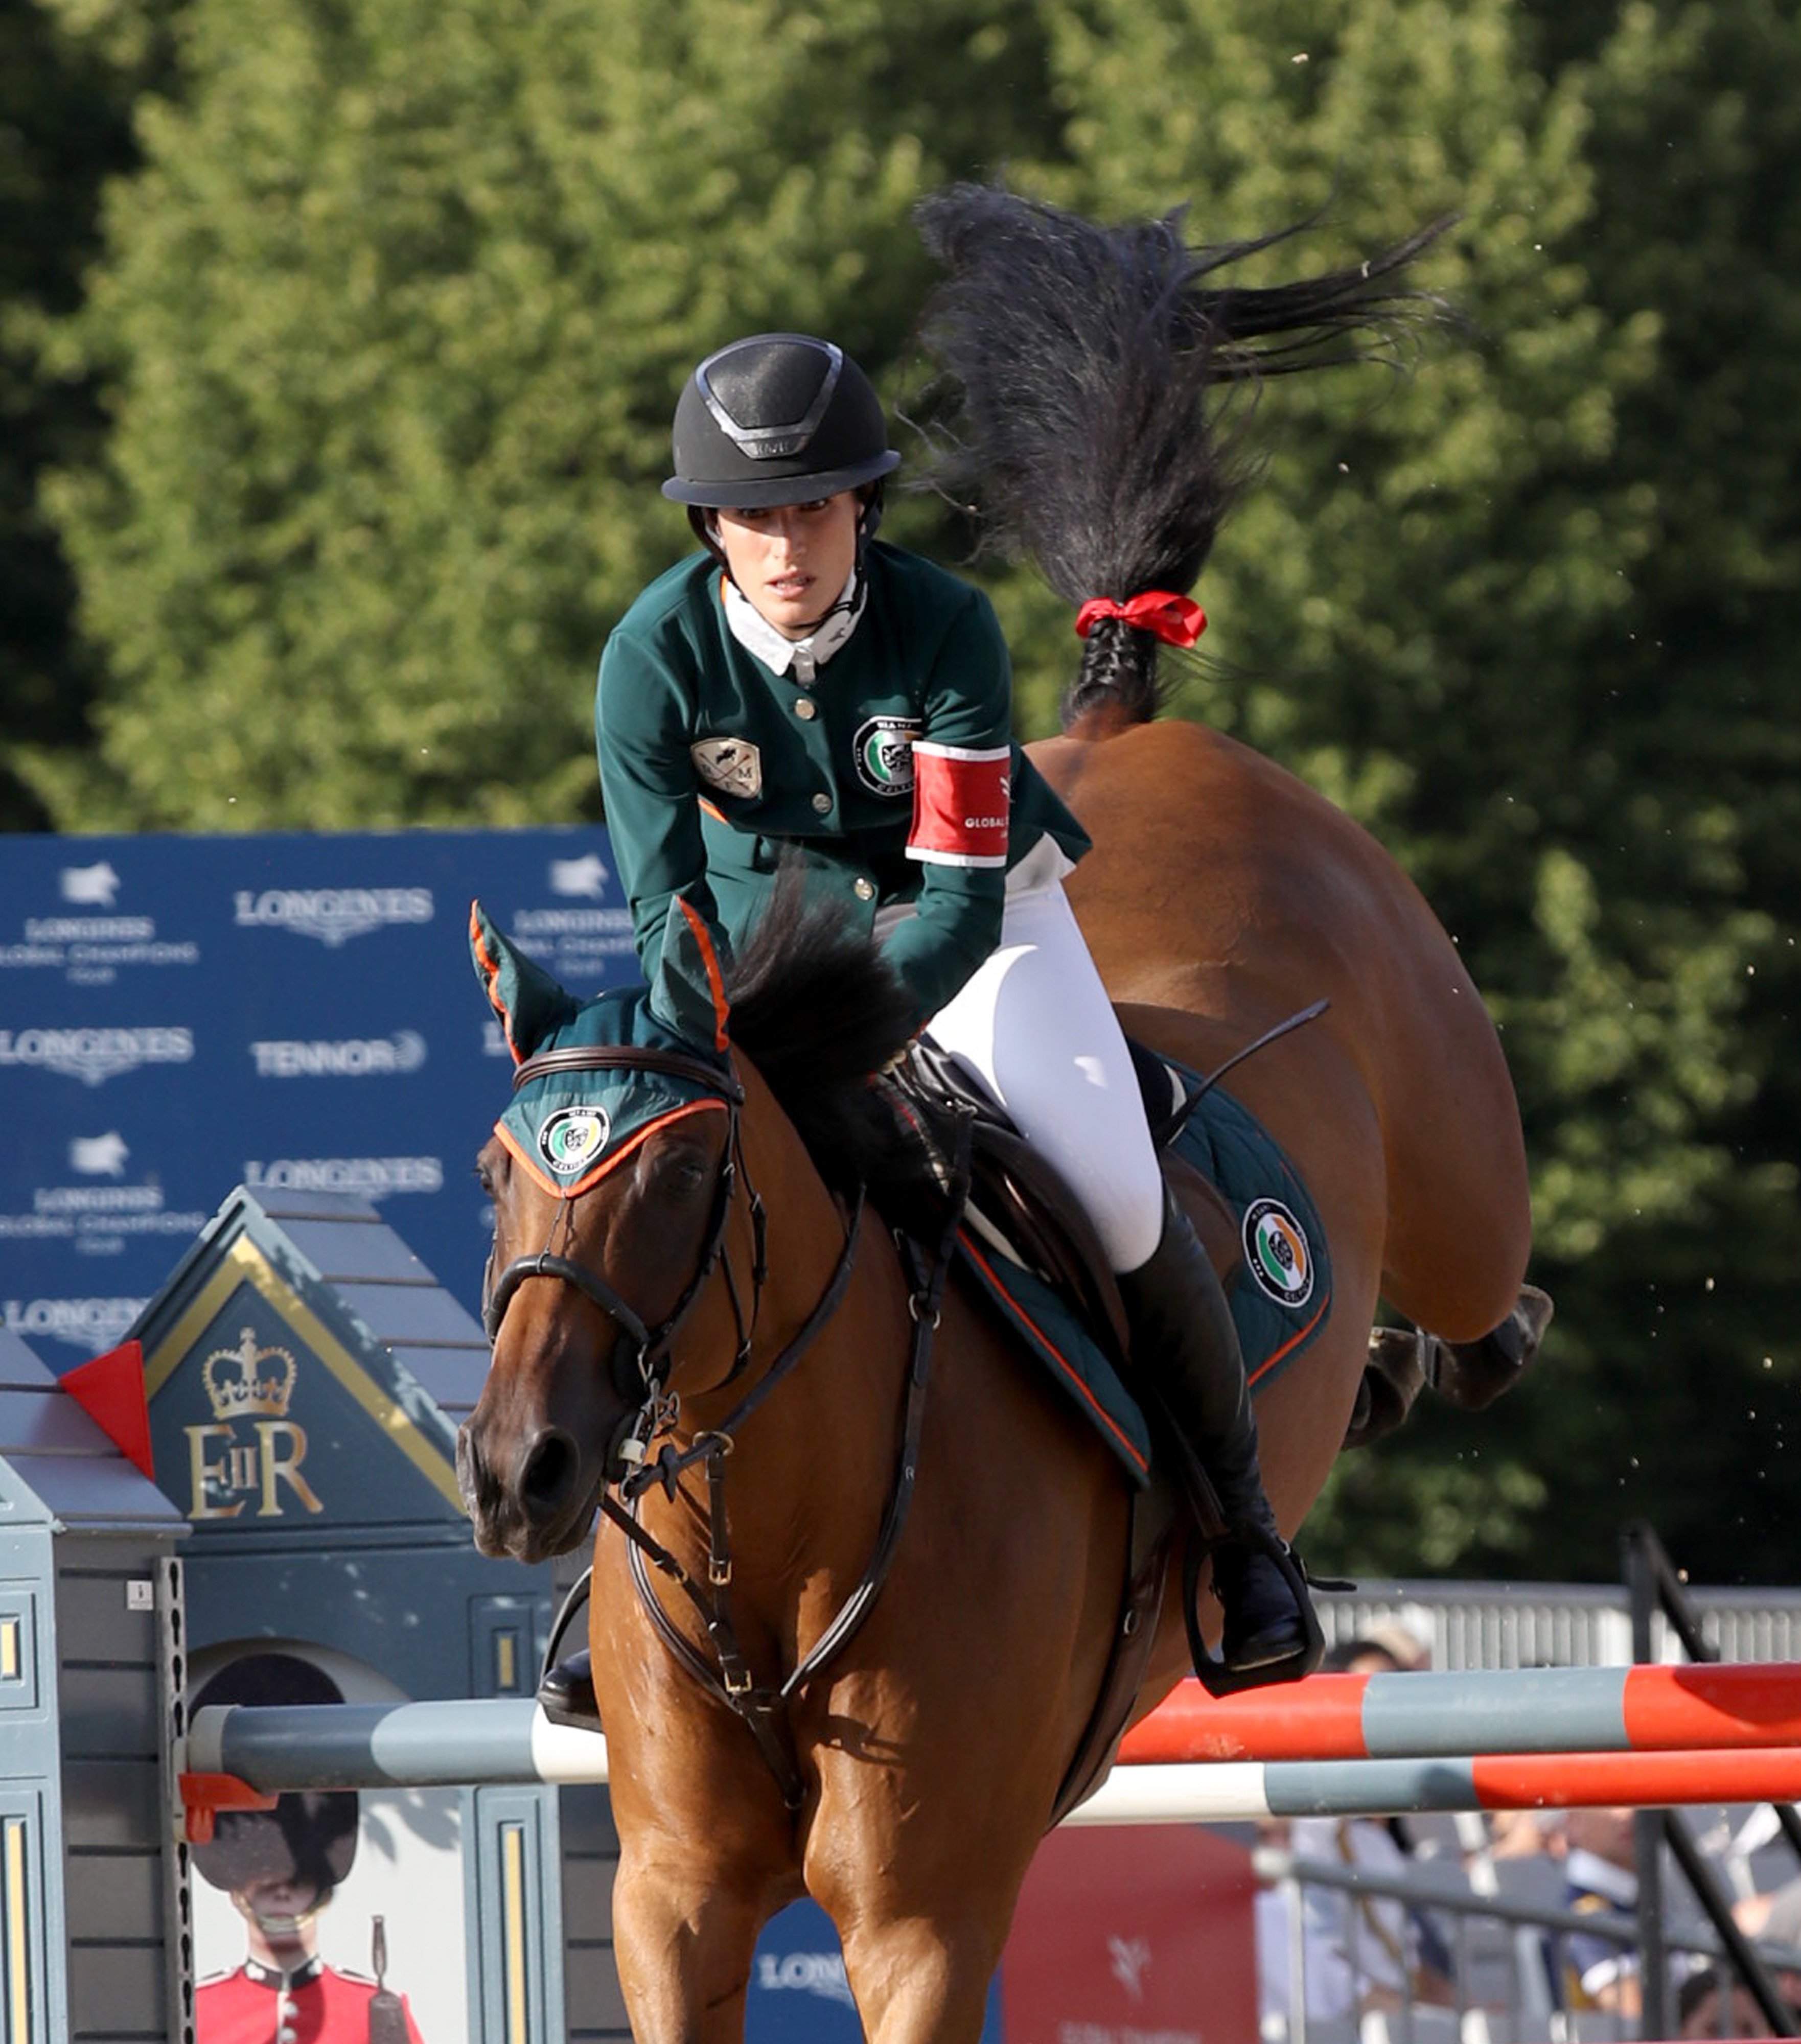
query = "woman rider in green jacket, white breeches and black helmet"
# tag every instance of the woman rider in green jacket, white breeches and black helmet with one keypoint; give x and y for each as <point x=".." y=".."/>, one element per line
<point x="802" y="688"/>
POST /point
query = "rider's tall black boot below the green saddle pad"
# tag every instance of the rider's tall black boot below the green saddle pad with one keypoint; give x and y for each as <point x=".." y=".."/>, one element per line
<point x="1189" y="1360"/>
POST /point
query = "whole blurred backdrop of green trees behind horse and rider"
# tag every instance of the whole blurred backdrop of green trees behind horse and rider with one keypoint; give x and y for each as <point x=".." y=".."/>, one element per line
<point x="338" y="342"/>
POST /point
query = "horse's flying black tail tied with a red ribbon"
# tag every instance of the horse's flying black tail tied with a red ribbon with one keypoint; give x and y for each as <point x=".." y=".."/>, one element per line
<point x="1095" y="396"/>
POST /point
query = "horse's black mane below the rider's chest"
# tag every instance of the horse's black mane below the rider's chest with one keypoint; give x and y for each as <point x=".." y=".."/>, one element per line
<point x="819" y="1011"/>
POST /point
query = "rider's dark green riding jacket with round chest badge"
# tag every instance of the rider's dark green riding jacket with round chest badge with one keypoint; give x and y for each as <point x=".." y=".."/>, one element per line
<point x="712" y="765"/>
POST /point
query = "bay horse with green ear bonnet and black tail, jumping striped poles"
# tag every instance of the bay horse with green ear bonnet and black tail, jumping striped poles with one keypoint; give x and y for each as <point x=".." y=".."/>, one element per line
<point x="851" y="1634"/>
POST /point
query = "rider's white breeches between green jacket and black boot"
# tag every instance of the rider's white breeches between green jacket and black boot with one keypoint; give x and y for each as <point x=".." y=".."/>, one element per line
<point x="1035" y="1025"/>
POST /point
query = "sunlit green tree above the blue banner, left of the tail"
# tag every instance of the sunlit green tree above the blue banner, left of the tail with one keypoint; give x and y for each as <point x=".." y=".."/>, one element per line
<point x="391" y="328"/>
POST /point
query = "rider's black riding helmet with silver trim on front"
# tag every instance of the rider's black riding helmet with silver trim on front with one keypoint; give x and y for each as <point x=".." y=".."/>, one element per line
<point x="776" y="420"/>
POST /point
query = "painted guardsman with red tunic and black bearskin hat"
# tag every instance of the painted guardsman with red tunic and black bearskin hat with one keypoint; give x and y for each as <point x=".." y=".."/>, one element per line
<point x="281" y="1869"/>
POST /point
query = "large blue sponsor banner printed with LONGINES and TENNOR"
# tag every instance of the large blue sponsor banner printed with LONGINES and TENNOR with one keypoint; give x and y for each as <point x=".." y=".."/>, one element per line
<point x="187" y="1015"/>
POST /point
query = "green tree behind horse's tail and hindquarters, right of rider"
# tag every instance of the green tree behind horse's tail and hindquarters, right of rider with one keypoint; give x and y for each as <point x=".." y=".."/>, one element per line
<point x="1414" y="612"/>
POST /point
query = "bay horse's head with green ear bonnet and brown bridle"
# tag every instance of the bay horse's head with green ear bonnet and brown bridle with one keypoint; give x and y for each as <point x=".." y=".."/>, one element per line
<point x="612" y="1184"/>
